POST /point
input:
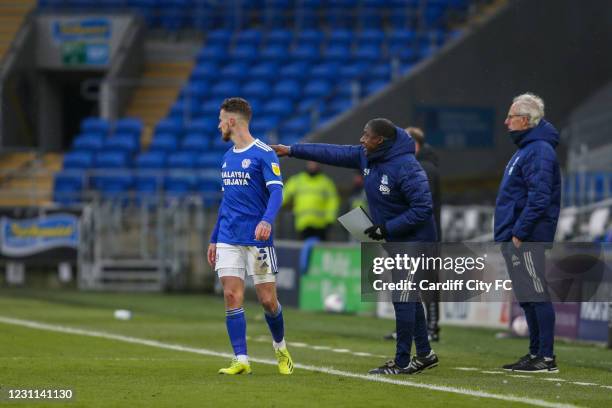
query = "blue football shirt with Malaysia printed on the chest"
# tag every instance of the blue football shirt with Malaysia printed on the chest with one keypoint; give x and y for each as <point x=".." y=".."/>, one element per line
<point x="246" y="174"/>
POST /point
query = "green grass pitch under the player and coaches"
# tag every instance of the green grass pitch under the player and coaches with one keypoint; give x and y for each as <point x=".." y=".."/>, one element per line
<point x="105" y="372"/>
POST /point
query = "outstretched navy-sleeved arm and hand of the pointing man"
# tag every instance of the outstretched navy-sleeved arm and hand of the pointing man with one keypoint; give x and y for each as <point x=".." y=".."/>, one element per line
<point x="336" y="155"/>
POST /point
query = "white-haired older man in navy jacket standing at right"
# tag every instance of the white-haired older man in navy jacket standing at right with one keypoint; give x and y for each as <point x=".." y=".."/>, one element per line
<point x="526" y="211"/>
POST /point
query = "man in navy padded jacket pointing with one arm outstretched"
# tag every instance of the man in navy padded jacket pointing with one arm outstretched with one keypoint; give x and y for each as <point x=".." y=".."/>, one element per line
<point x="401" y="207"/>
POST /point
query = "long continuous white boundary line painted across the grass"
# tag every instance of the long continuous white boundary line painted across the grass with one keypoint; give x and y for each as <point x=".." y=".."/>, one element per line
<point x="325" y="370"/>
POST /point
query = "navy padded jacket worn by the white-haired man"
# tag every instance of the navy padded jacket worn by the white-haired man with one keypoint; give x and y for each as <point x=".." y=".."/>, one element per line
<point x="529" y="196"/>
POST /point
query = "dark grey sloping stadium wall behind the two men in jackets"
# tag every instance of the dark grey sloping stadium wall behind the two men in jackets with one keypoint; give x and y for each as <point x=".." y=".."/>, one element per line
<point x="558" y="49"/>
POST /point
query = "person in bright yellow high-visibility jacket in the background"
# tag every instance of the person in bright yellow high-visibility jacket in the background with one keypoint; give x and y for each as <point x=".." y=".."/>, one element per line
<point x="315" y="201"/>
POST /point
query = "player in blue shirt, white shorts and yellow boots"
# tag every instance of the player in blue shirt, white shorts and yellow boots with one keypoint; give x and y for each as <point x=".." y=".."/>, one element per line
<point x="241" y="242"/>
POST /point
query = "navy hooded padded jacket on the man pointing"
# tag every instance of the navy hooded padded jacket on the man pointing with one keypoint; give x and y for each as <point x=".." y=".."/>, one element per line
<point x="395" y="184"/>
